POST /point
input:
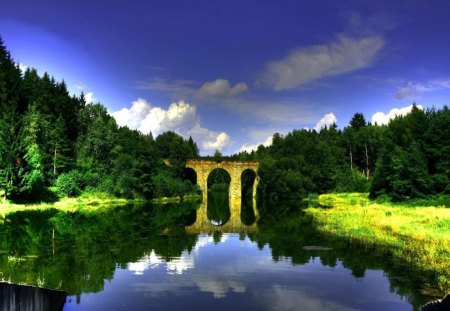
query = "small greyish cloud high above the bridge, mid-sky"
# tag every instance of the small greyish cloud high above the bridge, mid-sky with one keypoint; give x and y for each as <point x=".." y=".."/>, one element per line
<point x="221" y="88"/>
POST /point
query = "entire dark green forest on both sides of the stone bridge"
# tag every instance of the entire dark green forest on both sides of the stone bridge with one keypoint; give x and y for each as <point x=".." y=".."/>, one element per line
<point x="55" y="144"/>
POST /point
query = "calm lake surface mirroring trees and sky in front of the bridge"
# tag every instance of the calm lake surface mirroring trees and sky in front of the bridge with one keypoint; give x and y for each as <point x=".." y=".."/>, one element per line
<point x="156" y="258"/>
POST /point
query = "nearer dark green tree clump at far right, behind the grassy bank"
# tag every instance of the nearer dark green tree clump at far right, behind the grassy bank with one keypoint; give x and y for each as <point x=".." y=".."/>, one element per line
<point x="414" y="161"/>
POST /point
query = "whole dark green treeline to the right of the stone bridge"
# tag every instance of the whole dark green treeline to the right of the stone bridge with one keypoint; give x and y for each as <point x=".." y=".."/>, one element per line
<point x="408" y="158"/>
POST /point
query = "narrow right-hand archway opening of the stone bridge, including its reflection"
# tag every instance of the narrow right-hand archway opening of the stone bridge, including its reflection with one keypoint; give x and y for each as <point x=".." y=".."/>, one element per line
<point x="248" y="178"/>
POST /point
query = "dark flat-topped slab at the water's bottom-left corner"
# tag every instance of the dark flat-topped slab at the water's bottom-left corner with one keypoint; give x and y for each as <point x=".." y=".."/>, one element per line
<point x="28" y="298"/>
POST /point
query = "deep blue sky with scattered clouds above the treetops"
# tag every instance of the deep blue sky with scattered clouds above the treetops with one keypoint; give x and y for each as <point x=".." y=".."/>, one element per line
<point x="232" y="73"/>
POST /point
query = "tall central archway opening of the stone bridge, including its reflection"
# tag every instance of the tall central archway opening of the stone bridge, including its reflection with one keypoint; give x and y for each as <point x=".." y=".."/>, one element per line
<point x="218" y="211"/>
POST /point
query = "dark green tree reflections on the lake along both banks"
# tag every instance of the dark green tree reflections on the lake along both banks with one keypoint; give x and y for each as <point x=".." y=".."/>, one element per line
<point x="88" y="246"/>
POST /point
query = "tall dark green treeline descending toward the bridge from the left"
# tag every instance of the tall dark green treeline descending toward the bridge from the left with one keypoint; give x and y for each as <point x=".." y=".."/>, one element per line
<point x="51" y="139"/>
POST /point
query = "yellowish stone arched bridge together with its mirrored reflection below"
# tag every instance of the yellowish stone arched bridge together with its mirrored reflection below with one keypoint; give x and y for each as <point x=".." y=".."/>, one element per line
<point x="235" y="169"/>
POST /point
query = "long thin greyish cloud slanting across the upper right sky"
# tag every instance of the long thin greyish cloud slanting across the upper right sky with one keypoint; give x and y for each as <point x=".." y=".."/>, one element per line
<point x="307" y="64"/>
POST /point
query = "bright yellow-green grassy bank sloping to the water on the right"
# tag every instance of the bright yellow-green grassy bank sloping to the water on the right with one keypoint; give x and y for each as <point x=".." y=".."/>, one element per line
<point x="415" y="234"/>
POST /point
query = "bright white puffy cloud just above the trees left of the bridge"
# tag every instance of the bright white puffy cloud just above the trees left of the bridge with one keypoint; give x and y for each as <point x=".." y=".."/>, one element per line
<point x="180" y="117"/>
